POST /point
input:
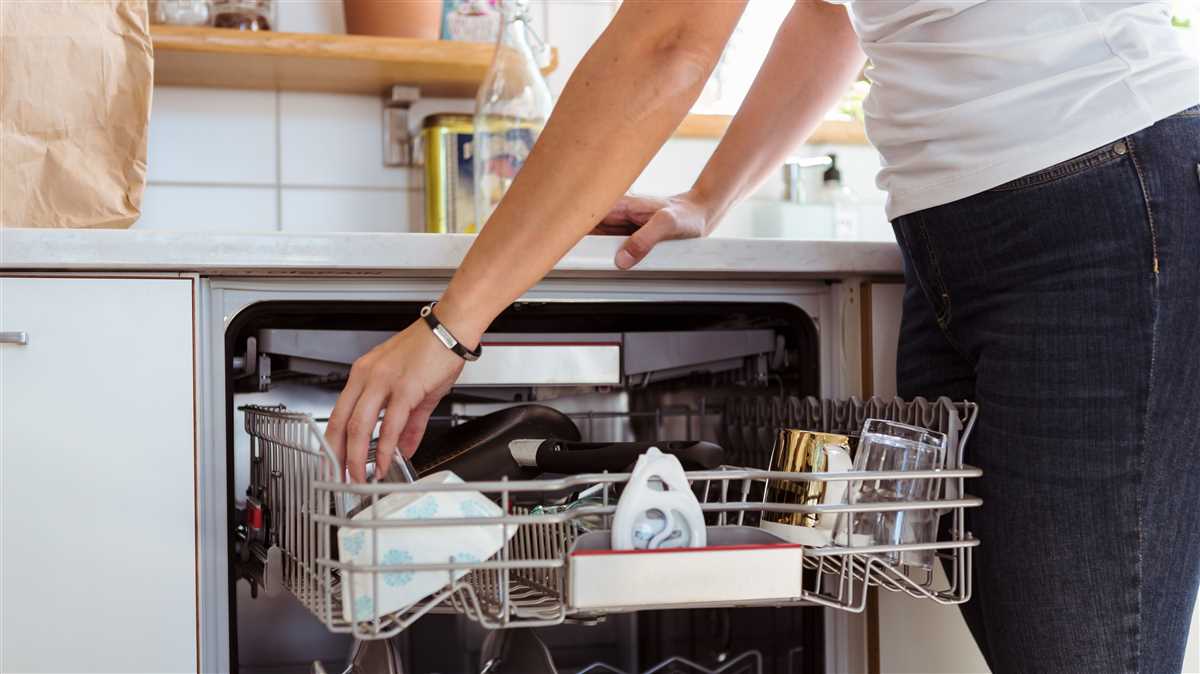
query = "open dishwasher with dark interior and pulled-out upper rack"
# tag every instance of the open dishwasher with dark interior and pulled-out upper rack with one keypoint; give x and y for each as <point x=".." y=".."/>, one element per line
<point x="725" y="372"/>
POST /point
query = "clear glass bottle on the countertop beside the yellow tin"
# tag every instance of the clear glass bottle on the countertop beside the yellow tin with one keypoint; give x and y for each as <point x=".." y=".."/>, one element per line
<point x="512" y="109"/>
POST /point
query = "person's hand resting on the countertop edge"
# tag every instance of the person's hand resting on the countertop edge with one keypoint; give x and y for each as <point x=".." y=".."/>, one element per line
<point x="653" y="220"/>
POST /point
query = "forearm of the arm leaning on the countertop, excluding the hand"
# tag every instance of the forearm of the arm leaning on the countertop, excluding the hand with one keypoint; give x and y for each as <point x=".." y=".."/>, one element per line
<point x="815" y="56"/>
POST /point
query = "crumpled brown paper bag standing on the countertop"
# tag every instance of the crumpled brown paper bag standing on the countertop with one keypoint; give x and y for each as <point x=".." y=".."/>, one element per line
<point x="75" y="111"/>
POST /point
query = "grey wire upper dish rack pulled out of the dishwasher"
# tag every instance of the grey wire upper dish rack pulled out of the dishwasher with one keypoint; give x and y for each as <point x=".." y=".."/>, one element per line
<point x="305" y="500"/>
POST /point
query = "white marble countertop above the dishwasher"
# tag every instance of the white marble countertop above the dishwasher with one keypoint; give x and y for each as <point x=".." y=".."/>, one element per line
<point x="405" y="255"/>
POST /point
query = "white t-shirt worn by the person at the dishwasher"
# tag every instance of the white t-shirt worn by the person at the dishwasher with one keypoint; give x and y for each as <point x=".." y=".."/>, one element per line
<point x="970" y="94"/>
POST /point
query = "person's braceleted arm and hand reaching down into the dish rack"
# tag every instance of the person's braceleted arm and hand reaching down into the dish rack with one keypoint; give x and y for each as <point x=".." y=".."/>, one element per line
<point x="622" y="103"/>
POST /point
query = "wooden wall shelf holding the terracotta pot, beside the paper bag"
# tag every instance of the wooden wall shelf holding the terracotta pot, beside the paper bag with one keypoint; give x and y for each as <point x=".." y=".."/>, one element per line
<point x="301" y="62"/>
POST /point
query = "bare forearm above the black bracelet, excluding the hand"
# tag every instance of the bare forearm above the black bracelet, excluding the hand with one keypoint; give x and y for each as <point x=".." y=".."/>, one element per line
<point x="623" y="101"/>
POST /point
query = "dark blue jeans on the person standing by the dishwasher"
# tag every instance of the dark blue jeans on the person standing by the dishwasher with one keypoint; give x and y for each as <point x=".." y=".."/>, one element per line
<point x="1067" y="304"/>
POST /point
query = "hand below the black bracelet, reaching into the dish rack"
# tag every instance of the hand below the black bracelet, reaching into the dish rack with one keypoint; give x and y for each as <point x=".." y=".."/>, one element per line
<point x="406" y="376"/>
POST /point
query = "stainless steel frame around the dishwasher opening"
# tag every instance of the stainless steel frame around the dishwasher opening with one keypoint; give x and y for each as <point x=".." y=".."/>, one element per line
<point x="832" y="306"/>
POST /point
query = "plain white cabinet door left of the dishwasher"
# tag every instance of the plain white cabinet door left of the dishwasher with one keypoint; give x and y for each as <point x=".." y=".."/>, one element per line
<point x="98" y="500"/>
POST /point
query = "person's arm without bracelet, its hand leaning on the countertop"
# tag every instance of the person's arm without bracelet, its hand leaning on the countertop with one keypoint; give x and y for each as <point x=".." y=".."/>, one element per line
<point x="813" y="59"/>
